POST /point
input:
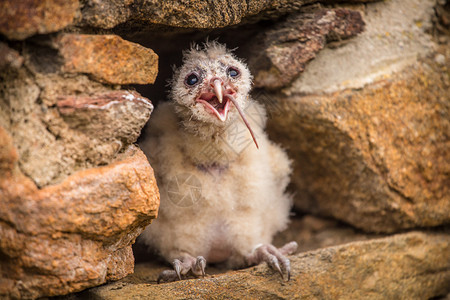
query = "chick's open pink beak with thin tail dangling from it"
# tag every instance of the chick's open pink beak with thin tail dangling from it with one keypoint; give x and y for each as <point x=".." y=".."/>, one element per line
<point x="218" y="102"/>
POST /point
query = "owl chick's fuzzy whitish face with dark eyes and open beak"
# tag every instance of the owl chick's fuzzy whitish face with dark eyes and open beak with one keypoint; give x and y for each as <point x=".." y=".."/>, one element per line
<point x="211" y="84"/>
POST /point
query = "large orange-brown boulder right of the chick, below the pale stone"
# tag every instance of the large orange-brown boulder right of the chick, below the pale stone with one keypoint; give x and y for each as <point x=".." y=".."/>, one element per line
<point x="375" y="158"/>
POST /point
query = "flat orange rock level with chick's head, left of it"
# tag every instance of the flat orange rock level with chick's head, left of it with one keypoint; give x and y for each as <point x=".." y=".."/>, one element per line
<point x="97" y="55"/>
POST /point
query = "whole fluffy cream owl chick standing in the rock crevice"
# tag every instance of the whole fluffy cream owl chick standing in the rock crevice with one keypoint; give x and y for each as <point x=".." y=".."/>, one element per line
<point x="222" y="198"/>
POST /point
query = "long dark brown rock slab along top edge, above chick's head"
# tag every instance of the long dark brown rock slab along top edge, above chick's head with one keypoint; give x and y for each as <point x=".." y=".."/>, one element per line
<point x="199" y="14"/>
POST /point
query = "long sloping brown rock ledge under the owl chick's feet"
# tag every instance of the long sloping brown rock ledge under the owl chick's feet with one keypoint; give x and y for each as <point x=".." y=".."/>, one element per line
<point x="411" y="266"/>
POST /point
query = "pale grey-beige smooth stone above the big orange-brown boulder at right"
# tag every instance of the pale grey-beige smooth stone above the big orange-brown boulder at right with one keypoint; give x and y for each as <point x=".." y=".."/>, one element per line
<point x="390" y="42"/>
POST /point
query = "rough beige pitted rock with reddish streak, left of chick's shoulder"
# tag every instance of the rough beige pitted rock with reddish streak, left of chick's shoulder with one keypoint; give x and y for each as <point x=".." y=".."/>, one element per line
<point x="54" y="141"/>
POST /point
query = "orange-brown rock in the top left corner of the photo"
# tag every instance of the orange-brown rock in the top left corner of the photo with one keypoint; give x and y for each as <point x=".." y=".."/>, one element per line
<point x="24" y="18"/>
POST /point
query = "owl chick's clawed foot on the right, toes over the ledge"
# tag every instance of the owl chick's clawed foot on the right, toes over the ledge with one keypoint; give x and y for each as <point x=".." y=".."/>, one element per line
<point x="274" y="257"/>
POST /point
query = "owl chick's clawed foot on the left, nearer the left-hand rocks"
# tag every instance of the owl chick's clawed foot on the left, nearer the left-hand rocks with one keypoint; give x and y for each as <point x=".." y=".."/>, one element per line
<point x="183" y="266"/>
